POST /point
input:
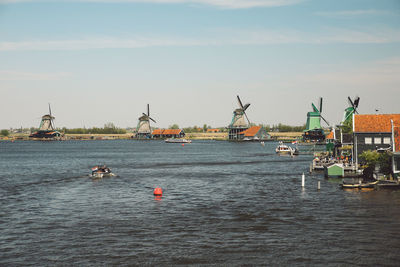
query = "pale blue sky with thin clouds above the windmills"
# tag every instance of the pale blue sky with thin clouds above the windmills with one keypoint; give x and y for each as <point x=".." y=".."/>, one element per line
<point x="100" y="61"/>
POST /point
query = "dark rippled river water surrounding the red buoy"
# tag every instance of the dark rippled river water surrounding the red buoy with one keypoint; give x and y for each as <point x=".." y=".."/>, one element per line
<point x="224" y="204"/>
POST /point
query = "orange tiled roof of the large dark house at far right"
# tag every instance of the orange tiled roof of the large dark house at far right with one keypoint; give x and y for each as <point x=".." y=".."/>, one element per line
<point x="374" y="123"/>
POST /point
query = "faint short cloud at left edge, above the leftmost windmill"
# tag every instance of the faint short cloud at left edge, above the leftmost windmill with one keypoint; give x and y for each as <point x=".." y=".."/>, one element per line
<point x="30" y="76"/>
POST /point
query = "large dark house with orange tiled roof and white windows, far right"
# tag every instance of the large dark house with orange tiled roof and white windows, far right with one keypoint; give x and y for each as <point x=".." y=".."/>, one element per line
<point x="373" y="132"/>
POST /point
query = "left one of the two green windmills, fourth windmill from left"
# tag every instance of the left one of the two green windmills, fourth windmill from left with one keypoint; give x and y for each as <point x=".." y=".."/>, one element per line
<point x="314" y="131"/>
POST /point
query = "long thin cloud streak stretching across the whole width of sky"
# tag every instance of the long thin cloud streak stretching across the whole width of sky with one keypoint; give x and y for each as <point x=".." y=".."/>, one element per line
<point x="218" y="38"/>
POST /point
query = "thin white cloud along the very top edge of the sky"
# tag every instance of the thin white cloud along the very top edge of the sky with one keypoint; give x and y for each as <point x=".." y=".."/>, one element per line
<point x="234" y="4"/>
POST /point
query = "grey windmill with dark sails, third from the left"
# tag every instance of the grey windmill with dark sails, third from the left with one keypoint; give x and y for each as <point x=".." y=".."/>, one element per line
<point x="240" y="122"/>
